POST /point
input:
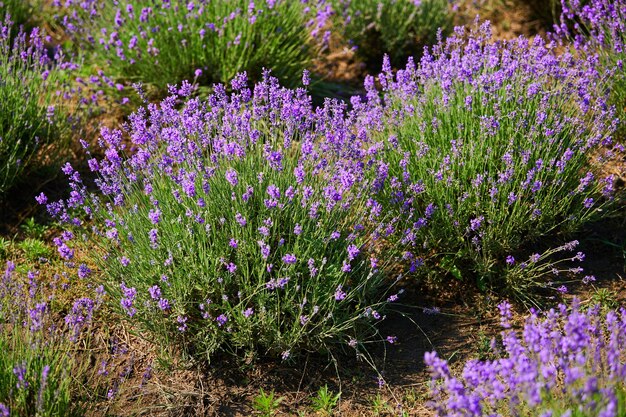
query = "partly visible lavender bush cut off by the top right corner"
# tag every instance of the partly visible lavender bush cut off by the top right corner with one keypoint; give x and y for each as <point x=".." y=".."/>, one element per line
<point x="599" y="27"/>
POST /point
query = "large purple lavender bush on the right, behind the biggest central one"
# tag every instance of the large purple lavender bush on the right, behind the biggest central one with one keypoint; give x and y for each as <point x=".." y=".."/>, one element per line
<point x="486" y="148"/>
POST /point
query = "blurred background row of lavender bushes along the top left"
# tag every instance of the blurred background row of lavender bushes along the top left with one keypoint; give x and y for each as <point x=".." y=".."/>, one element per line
<point x="114" y="44"/>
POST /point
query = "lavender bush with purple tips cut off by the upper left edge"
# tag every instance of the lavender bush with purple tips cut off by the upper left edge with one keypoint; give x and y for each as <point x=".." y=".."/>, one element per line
<point x="35" y="84"/>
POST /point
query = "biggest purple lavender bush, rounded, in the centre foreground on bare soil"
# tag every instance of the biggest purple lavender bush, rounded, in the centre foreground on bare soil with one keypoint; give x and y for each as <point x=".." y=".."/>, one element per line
<point x="234" y="225"/>
